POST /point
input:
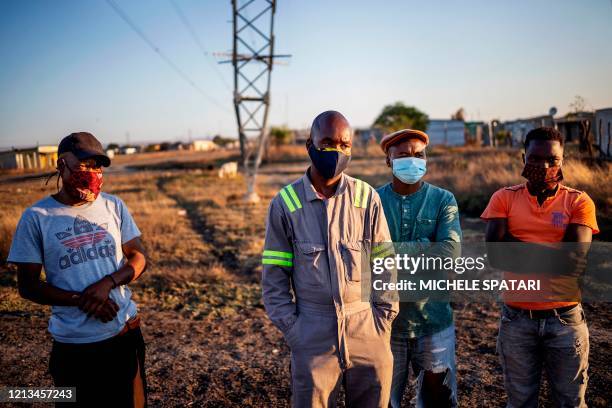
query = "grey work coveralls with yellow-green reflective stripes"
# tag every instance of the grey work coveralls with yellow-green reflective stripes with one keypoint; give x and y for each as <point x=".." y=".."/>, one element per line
<point x="312" y="289"/>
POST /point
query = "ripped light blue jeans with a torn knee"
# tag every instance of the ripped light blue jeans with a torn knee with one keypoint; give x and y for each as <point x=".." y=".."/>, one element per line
<point x="433" y="361"/>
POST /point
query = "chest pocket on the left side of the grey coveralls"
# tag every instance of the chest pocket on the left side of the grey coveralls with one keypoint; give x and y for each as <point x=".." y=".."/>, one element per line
<point x="311" y="264"/>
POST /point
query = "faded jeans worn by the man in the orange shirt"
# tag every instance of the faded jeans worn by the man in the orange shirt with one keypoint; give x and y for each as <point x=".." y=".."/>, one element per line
<point x="558" y="344"/>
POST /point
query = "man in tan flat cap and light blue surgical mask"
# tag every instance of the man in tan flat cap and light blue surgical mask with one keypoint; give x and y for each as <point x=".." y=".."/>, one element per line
<point x="420" y="215"/>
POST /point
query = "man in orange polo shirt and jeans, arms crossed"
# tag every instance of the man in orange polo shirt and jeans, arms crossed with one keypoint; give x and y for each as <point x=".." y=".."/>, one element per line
<point x="536" y="335"/>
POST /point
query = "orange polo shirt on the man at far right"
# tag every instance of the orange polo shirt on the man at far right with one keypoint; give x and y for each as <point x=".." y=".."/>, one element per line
<point x="531" y="222"/>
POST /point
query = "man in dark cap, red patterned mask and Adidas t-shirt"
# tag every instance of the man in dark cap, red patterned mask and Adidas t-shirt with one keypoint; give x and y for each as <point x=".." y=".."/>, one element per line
<point x="90" y="249"/>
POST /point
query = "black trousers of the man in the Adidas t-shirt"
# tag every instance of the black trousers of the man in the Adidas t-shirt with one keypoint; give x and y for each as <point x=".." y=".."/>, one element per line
<point x="104" y="372"/>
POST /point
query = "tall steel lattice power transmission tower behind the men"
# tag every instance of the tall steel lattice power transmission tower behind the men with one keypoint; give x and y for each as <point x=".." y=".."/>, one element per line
<point x="253" y="59"/>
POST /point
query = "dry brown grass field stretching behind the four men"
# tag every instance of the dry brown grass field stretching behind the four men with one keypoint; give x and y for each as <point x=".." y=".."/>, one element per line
<point x="209" y="342"/>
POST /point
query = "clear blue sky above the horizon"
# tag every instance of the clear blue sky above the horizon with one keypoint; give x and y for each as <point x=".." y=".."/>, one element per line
<point x="70" y="65"/>
